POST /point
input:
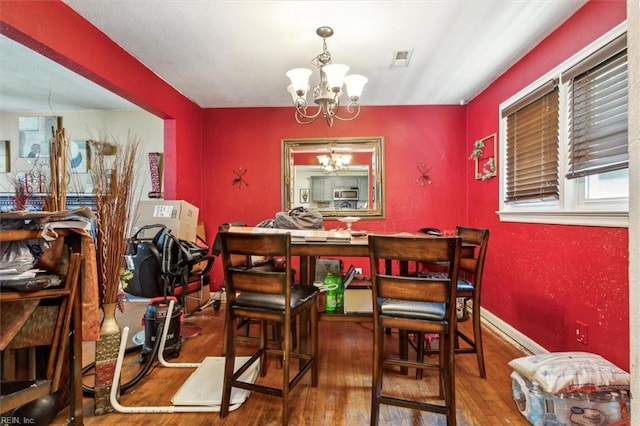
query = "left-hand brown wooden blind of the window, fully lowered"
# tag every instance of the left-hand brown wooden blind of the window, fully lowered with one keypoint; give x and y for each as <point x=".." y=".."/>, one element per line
<point x="532" y="146"/>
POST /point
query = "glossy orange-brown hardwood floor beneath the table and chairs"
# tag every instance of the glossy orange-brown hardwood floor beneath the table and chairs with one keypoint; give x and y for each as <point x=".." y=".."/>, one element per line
<point x="343" y="395"/>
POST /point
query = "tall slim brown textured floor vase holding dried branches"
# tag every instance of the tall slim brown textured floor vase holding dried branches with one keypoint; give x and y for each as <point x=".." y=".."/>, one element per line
<point x="106" y="355"/>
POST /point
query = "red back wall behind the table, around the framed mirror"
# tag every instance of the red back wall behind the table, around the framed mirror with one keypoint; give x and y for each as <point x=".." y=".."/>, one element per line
<point x="251" y="138"/>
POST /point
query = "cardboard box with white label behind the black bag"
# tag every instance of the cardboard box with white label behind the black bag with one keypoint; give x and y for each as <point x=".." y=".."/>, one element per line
<point x="179" y="216"/>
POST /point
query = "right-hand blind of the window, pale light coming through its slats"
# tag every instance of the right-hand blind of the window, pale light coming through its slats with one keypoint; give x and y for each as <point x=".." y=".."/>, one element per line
<point x="598" y="122"/>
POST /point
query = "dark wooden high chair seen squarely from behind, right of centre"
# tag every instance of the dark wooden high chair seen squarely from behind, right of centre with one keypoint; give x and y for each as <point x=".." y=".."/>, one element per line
<point x="415" y="303"/>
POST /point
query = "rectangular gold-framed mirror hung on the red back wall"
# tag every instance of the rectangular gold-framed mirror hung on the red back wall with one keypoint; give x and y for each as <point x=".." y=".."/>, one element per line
<point x="339" y="177"/>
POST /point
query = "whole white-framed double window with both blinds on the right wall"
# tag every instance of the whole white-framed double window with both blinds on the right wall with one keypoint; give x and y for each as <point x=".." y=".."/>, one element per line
<point x="564" y="151"/>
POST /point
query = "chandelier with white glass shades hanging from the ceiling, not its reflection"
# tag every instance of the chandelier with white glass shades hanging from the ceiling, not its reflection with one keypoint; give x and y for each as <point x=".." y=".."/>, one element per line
<point x="327" y="92"/>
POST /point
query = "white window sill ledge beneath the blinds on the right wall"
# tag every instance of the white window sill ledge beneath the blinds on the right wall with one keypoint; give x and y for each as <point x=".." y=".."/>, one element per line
<point x="605" y="219"/>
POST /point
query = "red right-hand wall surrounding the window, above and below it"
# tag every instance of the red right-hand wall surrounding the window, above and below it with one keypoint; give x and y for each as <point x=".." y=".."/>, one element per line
<point x="541" y="279"/>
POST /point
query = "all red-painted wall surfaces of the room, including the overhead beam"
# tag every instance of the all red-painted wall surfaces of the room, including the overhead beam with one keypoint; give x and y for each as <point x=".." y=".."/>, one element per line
<point x="540" y="279"/>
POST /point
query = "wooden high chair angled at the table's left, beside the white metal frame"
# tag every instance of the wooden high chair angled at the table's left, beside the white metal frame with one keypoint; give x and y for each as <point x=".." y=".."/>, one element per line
<point x="266" y="296"/>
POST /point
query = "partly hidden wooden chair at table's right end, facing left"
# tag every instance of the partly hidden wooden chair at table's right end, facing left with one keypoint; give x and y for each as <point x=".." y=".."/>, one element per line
<point x="469" y="287"/>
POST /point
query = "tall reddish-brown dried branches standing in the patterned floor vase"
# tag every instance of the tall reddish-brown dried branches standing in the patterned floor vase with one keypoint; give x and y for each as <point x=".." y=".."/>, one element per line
<point x="114" y="185"/>
